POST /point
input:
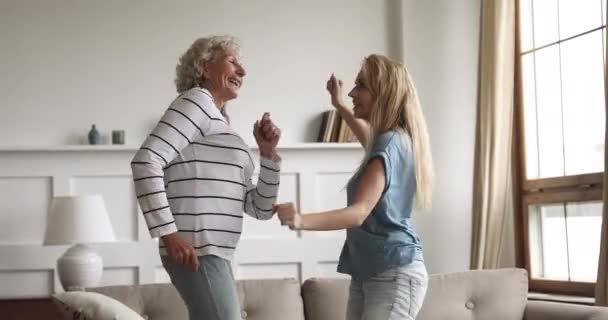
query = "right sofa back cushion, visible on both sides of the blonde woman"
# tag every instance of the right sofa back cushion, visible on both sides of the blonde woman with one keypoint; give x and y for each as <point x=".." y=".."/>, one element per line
<point x="488" y="294"/>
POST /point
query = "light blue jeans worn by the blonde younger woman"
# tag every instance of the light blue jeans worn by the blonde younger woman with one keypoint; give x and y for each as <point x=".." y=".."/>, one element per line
<point x="394" y="294"/>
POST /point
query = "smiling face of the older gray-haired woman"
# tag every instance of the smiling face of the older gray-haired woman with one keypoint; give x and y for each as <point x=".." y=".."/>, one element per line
<point x="223" y="76"/>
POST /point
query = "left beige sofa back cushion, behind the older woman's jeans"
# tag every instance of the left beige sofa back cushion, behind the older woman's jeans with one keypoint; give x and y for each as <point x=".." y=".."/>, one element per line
<point x="260" y="300"/>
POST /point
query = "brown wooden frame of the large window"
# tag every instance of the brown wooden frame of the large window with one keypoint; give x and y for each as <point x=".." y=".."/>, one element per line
<point x="526" y="192"/>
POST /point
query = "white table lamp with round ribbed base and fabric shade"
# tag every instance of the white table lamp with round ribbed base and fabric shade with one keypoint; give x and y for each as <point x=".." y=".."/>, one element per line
<point x="78" y="220"/>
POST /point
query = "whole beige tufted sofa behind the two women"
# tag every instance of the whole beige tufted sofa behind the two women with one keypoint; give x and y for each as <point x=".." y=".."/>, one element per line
<point x="488" y="294"/>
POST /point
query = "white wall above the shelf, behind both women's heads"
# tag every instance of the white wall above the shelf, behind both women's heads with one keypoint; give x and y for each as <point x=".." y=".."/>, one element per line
<point x="65" y="64"/>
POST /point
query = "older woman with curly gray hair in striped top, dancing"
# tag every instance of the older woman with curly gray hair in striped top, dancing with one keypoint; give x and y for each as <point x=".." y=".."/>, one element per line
<point x="193" y="179"/>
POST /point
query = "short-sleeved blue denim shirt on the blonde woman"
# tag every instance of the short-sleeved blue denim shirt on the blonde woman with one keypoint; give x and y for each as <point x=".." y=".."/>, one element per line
<point x="387" y="238"/>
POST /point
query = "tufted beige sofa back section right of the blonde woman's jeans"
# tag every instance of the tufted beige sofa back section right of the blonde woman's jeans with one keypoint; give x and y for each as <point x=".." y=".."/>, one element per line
<point x="488" y="294"/>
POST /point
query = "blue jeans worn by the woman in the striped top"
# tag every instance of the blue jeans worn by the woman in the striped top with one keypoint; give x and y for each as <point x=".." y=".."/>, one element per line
<point x="209" y="293"/>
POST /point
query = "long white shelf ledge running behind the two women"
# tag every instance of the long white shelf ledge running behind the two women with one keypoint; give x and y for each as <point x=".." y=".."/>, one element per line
<point x="133" y="148"/>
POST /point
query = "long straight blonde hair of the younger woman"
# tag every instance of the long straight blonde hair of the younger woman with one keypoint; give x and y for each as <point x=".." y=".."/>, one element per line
<point x="397" y="107"/>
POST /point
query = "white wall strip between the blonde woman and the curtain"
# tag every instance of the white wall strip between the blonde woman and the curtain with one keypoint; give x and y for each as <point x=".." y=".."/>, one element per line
<point x="441" y="50"/>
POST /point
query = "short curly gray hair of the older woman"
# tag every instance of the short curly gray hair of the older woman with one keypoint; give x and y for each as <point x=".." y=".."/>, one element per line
<point x="188" y="72"/>
